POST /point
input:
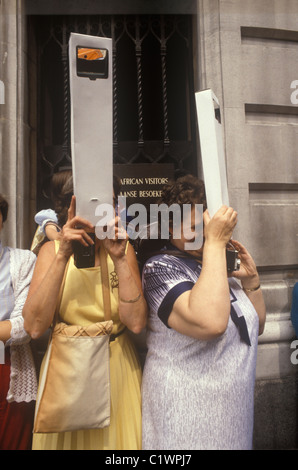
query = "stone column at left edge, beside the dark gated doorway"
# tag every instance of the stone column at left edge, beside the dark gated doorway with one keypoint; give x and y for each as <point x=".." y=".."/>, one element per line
<point x="14" y="128"/>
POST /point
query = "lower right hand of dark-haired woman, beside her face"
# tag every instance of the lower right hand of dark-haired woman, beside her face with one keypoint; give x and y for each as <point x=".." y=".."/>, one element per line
<point x="247" y="274"/>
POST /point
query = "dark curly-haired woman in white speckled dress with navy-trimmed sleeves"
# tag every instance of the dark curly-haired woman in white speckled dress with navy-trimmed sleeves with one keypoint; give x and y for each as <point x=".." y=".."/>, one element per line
<point x="203" y="327"/>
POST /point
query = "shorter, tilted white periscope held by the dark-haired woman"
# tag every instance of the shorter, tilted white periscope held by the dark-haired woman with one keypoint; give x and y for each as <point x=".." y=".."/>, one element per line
<point x="212" y="150"/>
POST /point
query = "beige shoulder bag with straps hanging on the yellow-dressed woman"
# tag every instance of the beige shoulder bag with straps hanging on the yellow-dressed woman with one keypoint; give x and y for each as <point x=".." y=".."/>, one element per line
<point x="74" y="388"/>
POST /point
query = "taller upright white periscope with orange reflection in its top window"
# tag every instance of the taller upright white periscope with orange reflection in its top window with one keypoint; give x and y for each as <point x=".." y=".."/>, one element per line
<point x="91" y="93"/>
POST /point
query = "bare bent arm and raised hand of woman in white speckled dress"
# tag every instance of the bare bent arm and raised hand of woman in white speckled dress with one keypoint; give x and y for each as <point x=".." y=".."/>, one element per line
<point x="203" y="312"/>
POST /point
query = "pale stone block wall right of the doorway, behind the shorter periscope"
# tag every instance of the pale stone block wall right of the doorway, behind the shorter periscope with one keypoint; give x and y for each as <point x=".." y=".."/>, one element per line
<point x="248" y="54"/>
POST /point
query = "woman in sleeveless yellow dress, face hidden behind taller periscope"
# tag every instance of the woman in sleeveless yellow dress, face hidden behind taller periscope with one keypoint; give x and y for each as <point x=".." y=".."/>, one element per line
<point x="82" y="304"/>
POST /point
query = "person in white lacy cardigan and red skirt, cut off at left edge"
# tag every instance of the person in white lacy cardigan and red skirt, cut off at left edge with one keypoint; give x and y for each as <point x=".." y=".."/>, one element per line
<point x="18" y="383"/>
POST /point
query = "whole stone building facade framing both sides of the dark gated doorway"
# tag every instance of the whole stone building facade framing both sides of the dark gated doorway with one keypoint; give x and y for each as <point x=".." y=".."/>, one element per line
<point x="246" y="51"/>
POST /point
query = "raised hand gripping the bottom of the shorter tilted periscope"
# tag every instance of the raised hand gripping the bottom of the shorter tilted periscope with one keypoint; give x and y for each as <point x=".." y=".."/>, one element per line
<point x="219" y="229"/>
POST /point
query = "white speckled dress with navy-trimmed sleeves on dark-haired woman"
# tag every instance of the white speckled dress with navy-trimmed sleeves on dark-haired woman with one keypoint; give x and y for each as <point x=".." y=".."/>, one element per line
<point x="196" y="394"/>
